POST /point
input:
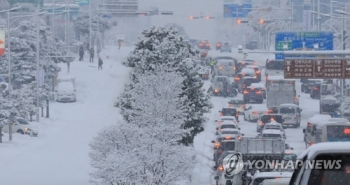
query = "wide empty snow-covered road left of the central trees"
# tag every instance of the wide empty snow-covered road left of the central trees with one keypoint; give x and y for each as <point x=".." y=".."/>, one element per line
<point x="59" y="155"/>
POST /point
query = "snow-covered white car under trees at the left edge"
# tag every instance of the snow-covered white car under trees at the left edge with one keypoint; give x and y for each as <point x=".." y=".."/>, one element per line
<point x="21" y="126"/>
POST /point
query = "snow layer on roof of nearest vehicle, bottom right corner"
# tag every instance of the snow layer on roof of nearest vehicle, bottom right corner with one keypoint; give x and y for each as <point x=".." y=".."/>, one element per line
<point x="327" y="147"/>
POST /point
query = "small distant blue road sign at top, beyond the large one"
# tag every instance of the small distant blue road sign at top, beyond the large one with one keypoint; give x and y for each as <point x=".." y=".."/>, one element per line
<point x="237" y="10"/>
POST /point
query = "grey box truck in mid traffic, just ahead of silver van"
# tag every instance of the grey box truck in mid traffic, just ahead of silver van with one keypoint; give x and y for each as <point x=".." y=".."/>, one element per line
<point x="280" y="91"/>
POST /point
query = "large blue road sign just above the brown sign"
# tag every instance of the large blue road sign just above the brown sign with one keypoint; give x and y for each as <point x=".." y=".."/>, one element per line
<point x="286" y="41"/>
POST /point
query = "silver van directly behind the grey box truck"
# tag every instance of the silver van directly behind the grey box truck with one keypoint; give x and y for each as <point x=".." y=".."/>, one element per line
<point x="291" y="114"/>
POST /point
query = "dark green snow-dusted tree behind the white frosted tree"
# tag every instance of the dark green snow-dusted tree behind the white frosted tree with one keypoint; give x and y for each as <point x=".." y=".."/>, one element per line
<point x="163" y="46"/>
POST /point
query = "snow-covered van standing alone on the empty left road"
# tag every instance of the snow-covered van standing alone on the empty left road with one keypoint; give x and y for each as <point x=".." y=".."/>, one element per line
<point x="65" y="91"/>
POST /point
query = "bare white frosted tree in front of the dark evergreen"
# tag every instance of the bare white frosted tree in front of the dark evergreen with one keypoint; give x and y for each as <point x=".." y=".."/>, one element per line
<point x="145" y="150"/>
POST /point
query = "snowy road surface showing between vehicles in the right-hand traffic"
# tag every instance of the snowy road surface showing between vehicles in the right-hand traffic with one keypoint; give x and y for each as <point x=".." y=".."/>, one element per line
<point x="204" y="148"/>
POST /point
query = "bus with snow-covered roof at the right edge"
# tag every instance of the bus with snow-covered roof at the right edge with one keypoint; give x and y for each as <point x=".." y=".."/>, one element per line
<point x="327" y="129"/>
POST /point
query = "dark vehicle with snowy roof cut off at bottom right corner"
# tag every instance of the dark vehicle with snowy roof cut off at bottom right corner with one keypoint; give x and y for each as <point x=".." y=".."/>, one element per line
<point x="322" y="174"/>
